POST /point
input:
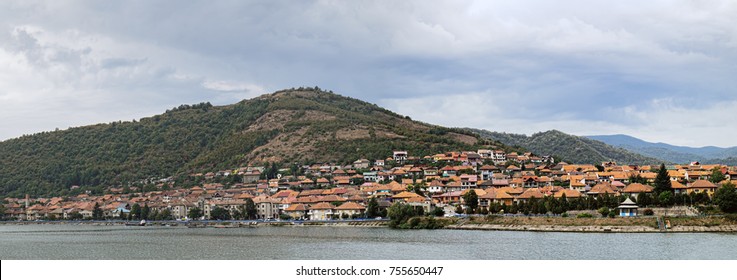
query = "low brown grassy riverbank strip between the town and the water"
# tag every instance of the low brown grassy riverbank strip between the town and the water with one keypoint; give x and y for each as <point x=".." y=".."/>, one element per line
<point x="495" y="223"/>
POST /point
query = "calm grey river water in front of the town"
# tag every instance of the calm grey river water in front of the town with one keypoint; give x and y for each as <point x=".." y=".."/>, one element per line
<point x="328" y="243"/>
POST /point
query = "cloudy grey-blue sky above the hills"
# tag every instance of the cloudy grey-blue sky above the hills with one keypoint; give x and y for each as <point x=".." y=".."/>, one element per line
<point x="658" y="70"/>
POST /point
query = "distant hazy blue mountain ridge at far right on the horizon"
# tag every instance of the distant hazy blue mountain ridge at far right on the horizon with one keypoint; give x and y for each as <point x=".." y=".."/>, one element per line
<point x="671" y="153"/>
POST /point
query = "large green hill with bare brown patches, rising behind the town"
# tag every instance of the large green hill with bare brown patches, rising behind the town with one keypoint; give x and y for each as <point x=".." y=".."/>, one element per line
<point x="297" y="125"/>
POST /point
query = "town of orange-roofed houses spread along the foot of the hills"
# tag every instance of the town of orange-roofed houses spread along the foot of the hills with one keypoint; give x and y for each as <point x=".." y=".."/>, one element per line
<point x="441" y="185"/>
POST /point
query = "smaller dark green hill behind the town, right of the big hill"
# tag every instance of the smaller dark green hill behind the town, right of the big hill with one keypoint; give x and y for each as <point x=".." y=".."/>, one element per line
<point x="568" y="147"/>
